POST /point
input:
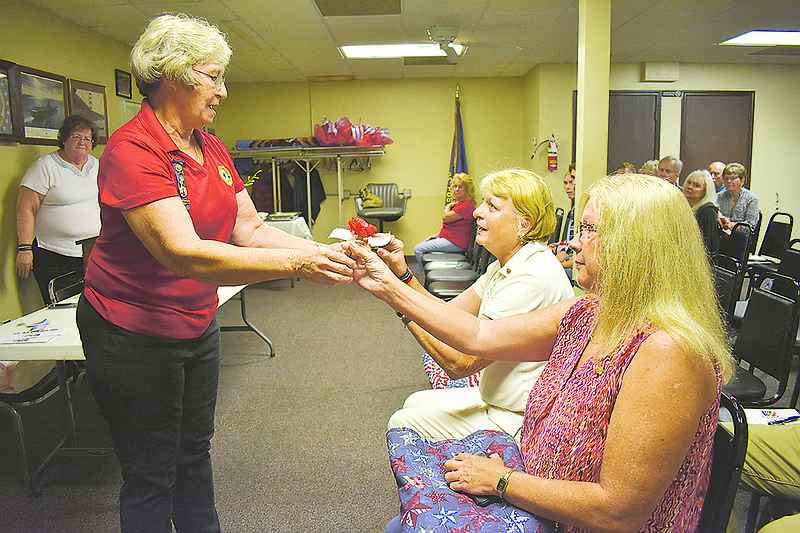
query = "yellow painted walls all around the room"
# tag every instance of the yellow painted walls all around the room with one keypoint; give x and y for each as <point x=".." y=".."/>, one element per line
<point x="500" y="117"/>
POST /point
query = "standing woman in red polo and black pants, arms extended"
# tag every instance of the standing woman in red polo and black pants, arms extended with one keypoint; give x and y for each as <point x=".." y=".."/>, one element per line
<point x="176" y="224"/>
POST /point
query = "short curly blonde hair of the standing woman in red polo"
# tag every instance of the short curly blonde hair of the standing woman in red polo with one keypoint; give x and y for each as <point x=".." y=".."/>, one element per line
<point x="171" y="45"/>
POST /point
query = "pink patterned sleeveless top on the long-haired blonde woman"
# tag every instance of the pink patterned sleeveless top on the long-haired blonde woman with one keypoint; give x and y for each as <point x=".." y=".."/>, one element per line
<point x="566" y="422"/>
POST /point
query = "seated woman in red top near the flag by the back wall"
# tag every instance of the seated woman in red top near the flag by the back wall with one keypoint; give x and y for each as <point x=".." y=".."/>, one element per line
<point x="457" y="222"/>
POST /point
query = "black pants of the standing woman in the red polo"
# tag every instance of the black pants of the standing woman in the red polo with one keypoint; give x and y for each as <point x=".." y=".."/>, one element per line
<point x="158" y="397"/>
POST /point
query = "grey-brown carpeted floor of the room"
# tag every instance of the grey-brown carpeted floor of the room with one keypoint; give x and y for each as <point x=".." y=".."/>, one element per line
<point x="300" y="442"/>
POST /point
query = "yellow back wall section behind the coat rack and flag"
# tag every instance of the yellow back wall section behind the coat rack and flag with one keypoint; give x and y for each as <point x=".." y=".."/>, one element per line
<point x="420" y="117"/>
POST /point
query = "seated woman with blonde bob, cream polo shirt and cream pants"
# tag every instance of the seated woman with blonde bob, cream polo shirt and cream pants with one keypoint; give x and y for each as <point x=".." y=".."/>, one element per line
<point x="514" y="221"/>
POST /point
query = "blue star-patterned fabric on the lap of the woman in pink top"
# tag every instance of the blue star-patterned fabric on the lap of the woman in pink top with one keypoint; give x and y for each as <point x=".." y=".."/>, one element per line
<point x="426" y="500"/>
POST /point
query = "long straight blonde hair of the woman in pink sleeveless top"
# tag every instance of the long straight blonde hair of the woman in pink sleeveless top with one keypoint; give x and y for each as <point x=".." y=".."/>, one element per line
<point x="654" y="268"/>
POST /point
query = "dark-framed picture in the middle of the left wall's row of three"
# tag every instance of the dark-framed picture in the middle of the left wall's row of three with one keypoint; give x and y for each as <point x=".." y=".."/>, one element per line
<point x="43" y="98"/>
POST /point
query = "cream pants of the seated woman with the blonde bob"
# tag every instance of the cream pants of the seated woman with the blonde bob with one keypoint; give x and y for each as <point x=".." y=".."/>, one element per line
<point x="453" y="414"/>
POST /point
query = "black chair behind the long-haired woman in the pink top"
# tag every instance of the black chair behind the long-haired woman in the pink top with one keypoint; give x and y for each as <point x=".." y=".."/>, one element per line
<point x="726" y="469"/>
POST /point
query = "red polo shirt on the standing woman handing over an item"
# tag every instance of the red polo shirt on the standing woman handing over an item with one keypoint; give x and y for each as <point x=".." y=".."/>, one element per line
<point x="124" y="282"/>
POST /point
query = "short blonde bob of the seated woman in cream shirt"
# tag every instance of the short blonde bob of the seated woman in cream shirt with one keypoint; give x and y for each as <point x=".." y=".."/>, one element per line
<point x="530" y="196"/>
